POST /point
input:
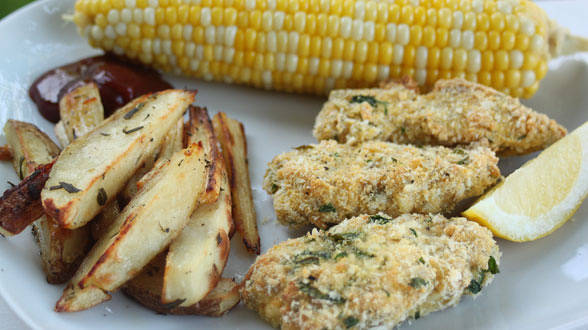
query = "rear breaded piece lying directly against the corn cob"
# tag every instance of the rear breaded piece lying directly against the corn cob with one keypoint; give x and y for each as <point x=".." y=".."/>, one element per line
<point x="455" y="112"/>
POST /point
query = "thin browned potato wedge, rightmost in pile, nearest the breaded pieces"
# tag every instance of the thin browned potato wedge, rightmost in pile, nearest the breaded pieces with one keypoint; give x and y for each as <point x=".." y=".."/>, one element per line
<point x="231" y="135"/>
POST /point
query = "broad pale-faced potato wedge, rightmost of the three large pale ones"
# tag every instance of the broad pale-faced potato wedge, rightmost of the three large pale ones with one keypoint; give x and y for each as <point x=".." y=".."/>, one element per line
<point x="197" y="257"/>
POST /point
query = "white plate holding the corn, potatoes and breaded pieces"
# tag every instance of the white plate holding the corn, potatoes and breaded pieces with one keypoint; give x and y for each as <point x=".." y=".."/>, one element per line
<point x="542" y="284"/>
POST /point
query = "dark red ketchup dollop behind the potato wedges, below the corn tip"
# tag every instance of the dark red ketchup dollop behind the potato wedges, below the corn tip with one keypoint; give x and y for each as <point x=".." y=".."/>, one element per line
<point x="118" y="80"/>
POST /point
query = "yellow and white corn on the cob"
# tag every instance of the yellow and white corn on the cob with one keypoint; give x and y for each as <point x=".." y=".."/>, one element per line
<point x="317" y="45"/>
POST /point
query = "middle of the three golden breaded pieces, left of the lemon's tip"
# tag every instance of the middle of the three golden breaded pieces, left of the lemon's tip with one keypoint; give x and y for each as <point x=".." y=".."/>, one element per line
<point x="325" y="183"/>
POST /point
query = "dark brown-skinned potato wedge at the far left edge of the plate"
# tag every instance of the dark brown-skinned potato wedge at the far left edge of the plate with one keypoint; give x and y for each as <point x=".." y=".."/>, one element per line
<point x="21" y="205"/>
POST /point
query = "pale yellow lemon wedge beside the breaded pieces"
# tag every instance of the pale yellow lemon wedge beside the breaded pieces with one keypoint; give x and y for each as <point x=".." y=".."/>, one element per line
<point x="540" y="196"/>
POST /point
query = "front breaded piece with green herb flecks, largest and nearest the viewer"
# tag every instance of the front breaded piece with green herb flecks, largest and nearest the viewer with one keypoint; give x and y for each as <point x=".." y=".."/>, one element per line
<point x="371" y="271"/>
